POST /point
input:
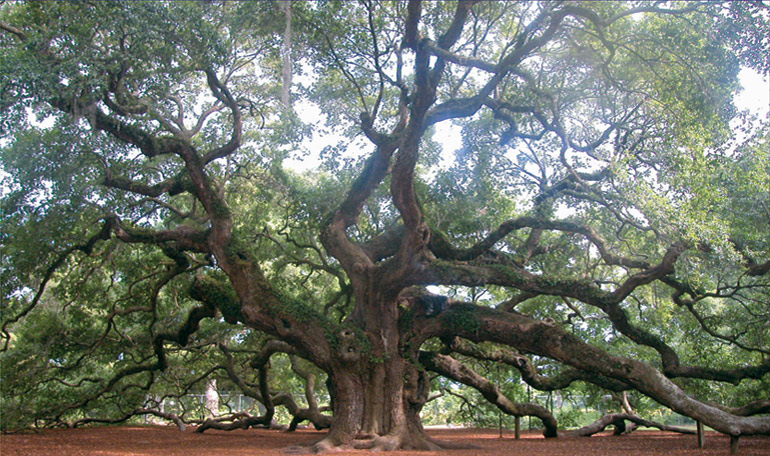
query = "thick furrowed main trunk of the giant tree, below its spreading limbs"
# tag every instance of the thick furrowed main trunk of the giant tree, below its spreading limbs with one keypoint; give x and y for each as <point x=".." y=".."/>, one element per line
<point x="377" y="392"/>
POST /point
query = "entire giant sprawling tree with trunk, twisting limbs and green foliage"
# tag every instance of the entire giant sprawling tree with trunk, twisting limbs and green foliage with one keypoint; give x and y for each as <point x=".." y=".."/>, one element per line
<point x="192" y="187"/>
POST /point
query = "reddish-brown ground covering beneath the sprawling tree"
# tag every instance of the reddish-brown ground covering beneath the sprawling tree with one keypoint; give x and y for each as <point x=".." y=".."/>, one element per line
<point x="169" y="441"/>
